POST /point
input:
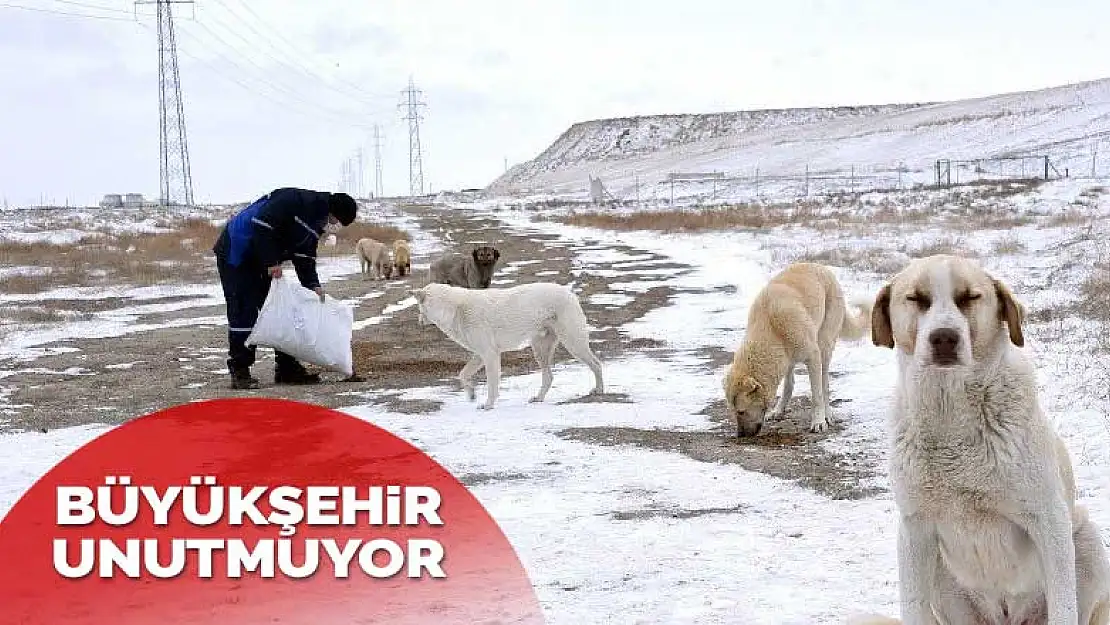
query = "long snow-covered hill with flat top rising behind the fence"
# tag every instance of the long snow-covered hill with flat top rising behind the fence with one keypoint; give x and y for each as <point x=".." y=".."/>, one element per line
<point x="863" y="145"/>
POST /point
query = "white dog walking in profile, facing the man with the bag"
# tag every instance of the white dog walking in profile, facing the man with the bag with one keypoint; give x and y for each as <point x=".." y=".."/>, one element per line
<point x="489" y="322"/>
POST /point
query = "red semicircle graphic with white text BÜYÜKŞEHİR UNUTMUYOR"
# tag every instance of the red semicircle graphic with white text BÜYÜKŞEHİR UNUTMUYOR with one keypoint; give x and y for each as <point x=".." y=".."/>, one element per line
<point x="247" y="445"/>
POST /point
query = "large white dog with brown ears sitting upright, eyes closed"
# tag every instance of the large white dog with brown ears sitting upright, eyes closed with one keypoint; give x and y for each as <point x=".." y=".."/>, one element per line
<point x="990" y="531"/>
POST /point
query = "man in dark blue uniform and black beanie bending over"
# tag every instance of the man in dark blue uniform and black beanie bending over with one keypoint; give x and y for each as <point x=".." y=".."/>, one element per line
<point x="285" y="225"/>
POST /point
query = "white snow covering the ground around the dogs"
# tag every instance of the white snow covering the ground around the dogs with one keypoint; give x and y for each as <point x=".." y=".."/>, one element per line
<point x="630" y="535"/>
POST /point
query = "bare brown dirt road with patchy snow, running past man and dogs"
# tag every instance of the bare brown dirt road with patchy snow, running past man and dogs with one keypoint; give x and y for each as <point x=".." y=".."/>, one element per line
<point x="115" y="380"/>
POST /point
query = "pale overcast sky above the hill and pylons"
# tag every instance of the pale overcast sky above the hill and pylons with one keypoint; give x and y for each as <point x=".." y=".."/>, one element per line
<point x="282" y="93"/>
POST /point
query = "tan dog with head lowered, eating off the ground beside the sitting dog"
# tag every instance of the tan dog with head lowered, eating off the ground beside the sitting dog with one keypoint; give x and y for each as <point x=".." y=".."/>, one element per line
<point x="798" y="318"/>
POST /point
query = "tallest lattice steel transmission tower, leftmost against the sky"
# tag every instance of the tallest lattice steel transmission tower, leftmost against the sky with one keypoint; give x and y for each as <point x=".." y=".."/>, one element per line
<point x="177" y="179"/>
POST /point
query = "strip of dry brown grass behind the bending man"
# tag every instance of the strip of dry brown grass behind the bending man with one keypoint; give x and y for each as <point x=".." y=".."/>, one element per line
<point x="181" y="255"/>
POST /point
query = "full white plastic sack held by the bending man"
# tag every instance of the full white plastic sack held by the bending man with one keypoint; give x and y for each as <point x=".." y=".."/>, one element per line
<point x="294" y="320"/>
